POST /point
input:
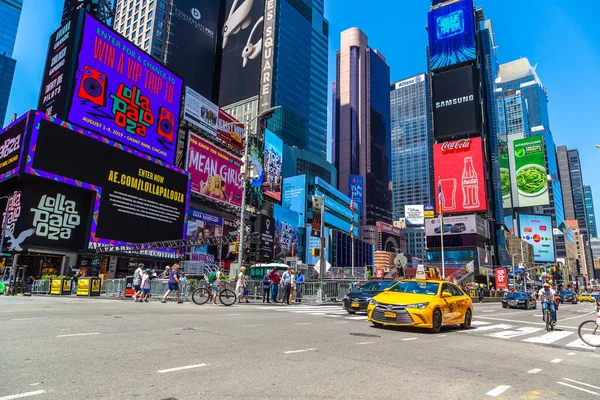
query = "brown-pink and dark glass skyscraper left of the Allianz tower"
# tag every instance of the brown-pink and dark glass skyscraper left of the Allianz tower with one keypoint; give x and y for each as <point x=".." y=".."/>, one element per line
<point x="362" y="124"/>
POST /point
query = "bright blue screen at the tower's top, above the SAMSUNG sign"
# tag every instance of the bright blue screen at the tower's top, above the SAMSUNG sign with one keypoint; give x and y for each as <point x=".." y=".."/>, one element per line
<point x="451" y="34"/>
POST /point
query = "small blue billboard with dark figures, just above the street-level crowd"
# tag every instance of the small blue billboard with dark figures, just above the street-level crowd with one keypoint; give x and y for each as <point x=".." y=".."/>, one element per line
<point x="286" y="233"/>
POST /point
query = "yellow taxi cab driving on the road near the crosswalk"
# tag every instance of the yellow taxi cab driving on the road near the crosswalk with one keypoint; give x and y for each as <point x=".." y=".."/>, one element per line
<point x="421" y="303"/>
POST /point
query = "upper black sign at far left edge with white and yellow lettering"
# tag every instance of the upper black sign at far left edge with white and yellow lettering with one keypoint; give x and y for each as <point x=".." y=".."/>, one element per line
<point x="11" y="147"/>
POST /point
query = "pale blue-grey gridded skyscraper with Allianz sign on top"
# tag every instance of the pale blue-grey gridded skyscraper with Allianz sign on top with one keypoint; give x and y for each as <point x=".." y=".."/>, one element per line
<point x="411" y="143"/>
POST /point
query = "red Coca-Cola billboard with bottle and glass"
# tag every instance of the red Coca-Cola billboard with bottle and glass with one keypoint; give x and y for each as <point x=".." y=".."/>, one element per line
<point x="459" y="172"/>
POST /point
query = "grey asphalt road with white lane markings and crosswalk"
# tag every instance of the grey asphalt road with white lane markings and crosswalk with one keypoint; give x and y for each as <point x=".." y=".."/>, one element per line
<point x="55" y="348"/>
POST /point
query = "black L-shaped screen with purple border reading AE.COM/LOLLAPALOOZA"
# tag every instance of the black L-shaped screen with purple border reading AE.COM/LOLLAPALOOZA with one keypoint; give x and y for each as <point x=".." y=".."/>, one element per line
<point x="143" y="194"/>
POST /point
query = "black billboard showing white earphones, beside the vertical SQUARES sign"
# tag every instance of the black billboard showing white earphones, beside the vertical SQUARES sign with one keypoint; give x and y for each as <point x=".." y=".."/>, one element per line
<point x="241" y="51"/>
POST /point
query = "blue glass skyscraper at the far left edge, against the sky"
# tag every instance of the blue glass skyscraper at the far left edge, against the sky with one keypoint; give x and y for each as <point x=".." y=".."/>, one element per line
<point x="10" y="13"/>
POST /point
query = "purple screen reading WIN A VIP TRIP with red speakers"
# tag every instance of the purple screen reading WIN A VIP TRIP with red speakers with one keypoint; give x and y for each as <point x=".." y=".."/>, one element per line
<point x="123" y="93"/>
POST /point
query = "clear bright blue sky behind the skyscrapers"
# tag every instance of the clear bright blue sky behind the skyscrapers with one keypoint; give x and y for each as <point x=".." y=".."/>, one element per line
<point x="559" y="36"/>
